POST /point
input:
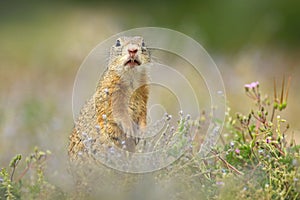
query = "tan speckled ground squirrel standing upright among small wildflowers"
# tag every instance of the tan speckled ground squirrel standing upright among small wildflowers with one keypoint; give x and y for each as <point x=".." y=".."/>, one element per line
<point x="118" y="108"/>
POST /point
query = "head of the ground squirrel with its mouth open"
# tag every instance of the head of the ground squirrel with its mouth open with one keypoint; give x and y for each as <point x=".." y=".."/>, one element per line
<point x="128" y="53"/>
